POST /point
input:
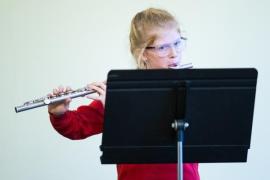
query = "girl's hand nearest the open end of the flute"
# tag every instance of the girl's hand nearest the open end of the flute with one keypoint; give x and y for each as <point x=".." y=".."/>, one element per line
<point x="59" y="108"/>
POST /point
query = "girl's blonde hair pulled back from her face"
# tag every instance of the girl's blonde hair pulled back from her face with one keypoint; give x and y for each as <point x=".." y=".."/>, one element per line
<point x="141" y="25"/>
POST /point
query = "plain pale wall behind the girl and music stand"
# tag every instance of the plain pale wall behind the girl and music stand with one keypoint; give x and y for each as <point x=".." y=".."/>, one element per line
<point x="44" y="44"/>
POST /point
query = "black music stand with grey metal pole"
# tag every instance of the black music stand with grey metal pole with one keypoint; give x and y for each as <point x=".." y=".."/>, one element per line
<point x="143" y="105"/>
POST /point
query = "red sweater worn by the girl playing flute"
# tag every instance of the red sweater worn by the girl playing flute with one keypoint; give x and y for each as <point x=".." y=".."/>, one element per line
<point x="88" y="120"/>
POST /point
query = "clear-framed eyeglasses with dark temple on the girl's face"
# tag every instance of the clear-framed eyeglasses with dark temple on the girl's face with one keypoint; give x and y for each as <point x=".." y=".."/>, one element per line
<point x="164" y="49"/>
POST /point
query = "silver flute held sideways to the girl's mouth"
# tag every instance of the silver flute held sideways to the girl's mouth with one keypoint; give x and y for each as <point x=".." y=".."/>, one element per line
<point x="47" y="100"/>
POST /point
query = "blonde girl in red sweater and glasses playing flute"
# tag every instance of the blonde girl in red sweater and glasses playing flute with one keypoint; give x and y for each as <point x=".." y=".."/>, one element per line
<point x="155" y="42"/>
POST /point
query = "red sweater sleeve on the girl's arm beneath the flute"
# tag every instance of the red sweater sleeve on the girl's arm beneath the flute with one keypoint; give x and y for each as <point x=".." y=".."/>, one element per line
<point x="81" y="123"/>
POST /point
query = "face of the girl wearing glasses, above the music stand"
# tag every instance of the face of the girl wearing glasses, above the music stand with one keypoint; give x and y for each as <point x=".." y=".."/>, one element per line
<point x="166" y="50"/>
